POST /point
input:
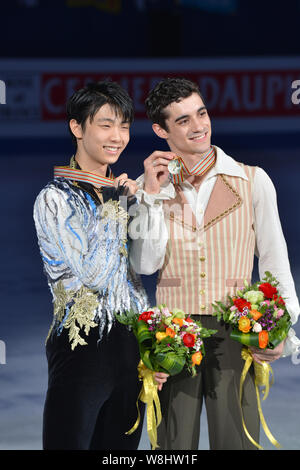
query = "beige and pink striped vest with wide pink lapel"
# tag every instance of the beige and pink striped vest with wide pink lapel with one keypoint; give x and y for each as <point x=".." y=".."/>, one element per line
<point x="205" y="264"/>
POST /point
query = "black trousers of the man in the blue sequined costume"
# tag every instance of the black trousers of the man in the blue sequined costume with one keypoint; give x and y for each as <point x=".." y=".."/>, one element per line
<point x="92" y="392"/>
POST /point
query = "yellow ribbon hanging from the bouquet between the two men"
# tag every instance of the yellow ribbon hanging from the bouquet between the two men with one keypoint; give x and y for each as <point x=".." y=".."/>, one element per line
<point x="149" y="396"/>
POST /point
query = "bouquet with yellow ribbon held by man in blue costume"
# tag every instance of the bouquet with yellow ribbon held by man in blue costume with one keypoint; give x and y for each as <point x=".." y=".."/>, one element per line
<point x="168" y="342"/>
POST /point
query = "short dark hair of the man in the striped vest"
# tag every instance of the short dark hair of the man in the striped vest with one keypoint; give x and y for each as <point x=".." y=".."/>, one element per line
<point x="168" y="91"/>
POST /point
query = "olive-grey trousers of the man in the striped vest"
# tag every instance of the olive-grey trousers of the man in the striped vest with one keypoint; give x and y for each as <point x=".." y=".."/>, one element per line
<point x="217" y="382"/>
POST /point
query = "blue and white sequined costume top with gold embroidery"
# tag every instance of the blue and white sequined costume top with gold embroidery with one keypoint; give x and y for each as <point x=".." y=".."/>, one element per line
<point x="84" y="251"/>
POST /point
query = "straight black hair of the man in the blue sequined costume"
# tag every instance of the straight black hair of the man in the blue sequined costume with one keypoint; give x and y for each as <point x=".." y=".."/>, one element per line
<point x="86" y="102"/>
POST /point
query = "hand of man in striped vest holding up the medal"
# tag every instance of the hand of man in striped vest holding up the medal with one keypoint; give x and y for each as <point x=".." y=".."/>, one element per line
<point x="156" y="170"/>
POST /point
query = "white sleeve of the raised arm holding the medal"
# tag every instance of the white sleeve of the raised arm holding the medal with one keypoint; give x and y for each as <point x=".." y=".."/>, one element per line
<point x="148" y="230"/>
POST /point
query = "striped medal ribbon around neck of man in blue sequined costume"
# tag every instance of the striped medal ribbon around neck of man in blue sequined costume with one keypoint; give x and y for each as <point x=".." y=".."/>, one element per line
<point x="84" y="176"/>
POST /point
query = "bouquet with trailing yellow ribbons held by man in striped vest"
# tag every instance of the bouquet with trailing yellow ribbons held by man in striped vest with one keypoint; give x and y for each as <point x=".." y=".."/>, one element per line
<point x="259" y="318"/>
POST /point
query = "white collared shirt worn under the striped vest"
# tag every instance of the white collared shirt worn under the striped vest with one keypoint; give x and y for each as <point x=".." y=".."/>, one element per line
<point x="149" y="232"/>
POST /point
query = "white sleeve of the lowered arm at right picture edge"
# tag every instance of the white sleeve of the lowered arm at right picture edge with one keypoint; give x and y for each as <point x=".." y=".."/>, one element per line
<point x="271" y="249"/>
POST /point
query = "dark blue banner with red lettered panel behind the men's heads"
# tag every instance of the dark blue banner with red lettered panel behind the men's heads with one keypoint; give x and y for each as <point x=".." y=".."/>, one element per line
<point x="242" y="95"/>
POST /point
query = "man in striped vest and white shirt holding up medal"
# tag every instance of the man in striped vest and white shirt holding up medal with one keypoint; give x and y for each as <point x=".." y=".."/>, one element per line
<point x="201" y="228"/>
